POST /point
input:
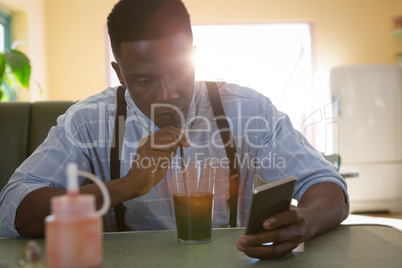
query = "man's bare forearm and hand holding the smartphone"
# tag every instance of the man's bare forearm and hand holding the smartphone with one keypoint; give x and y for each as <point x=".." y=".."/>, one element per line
<point x="321" y="208"/>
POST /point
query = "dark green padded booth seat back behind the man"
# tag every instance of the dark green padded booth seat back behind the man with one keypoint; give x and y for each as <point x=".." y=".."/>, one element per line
<point x="23" y="127"/>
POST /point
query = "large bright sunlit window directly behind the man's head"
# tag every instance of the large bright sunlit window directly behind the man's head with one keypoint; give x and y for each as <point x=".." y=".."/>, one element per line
<point x="273" y="58"/>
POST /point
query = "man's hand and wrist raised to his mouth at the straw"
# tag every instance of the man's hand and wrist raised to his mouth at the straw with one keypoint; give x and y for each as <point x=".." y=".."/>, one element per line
<point x="153" y="158"/>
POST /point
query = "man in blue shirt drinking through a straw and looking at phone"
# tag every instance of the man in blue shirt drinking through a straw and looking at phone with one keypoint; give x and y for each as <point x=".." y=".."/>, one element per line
<point x="152" y="44"/>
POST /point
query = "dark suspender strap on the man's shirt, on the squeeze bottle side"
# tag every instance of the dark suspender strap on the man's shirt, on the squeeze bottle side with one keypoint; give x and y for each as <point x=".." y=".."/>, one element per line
<point x="115" y="152"/>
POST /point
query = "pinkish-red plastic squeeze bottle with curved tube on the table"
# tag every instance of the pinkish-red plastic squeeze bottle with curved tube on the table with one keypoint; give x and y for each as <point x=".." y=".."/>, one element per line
<point x="74" y="229"/>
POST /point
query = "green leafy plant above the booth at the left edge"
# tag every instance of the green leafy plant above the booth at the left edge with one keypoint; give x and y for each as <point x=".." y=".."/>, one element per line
<point x="15" y="72"/>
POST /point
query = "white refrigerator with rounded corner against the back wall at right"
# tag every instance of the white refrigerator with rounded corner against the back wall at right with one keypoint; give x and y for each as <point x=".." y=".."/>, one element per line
<point x="369" y="133"/>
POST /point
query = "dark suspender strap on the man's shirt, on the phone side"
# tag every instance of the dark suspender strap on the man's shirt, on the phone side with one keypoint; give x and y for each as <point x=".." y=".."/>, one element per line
<point x="230" y="148"/>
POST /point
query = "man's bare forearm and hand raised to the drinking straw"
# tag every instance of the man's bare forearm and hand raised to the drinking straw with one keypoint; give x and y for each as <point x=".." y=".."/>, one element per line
<point x="30" y="215"/>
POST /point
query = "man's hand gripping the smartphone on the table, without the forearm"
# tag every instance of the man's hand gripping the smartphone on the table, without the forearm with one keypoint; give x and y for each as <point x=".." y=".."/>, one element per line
<point x="285" y="231"/>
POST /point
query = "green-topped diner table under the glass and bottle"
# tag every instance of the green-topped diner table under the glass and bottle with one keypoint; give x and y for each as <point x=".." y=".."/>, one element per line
<point x="345" y="246"/>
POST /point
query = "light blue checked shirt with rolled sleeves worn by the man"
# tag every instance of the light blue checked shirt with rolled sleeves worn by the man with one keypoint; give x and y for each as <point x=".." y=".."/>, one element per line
<point x="266" y="142"/>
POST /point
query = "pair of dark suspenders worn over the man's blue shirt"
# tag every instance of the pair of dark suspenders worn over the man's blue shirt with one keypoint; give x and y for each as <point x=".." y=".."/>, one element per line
<point x="226" y="135"/>
